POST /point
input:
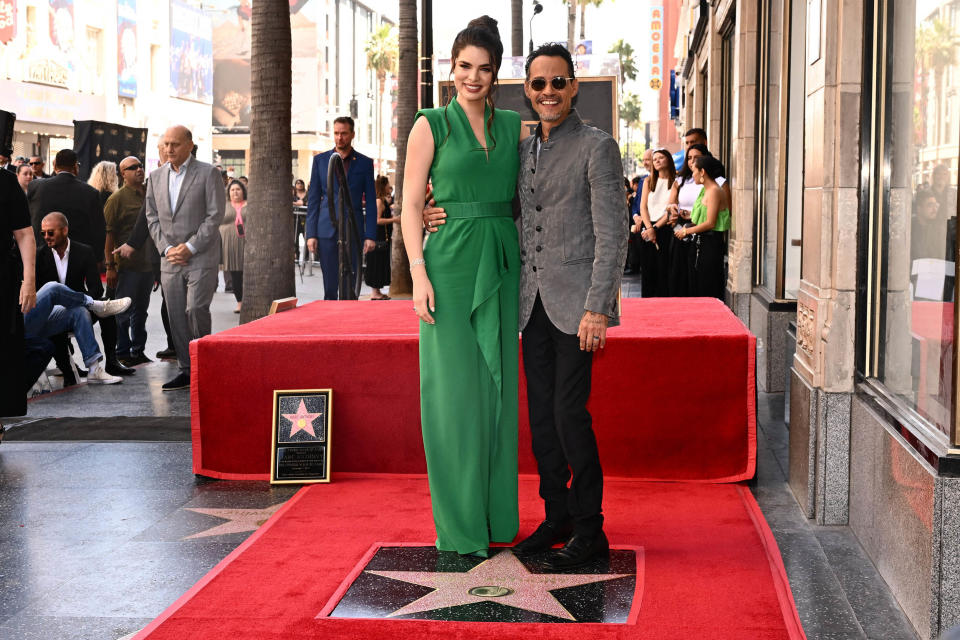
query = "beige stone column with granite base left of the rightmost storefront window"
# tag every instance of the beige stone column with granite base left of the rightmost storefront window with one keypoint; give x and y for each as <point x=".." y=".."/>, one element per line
<point x="824" y="367"/>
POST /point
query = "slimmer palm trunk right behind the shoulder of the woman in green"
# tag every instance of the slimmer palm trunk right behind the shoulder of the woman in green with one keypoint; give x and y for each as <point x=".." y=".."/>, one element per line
<point x="407" y="91"/>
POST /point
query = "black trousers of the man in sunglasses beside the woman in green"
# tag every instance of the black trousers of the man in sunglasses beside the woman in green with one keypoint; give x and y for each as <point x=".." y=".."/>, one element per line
<point x="558" y="387"/>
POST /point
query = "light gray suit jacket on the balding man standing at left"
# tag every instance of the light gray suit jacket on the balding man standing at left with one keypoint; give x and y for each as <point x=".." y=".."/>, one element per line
<point x="195" y="218"/>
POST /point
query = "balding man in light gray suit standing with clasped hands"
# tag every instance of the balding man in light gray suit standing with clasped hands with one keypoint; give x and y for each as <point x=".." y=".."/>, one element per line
<point x="184" y="207"/>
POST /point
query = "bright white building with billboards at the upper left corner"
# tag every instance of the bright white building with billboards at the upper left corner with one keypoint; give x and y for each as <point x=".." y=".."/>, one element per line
<point x="66" y="60"/>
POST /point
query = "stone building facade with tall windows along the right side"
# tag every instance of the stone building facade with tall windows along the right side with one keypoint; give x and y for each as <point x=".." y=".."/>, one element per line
<point x="839" y="125"/>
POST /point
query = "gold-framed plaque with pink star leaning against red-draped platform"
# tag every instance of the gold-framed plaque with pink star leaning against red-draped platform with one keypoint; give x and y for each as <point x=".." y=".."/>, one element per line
<point x="300" y="438"/>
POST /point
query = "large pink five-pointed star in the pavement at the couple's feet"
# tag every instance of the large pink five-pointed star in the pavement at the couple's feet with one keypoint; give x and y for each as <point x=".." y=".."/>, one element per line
<point x="503" y="575"/>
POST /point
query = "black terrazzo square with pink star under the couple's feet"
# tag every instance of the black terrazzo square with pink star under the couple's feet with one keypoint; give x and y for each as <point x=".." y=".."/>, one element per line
<point x="419" y="582"/>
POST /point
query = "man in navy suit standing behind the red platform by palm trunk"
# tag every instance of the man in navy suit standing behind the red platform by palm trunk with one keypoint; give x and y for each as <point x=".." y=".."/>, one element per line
<point x="321" y="232"/>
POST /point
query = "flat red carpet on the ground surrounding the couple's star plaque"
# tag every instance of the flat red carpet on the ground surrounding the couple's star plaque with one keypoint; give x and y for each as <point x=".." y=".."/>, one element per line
<point x="711" y="567"/>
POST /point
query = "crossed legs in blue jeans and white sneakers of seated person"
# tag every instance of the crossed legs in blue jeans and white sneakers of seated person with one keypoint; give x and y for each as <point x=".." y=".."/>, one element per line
<point x="59" y="308"/>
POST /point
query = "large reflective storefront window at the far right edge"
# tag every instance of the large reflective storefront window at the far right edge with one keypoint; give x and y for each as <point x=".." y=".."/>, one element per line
<point x="915" y="213"/>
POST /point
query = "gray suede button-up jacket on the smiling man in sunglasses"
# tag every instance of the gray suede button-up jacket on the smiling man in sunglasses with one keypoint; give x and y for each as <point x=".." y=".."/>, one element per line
<point x="573" y="224"/>
